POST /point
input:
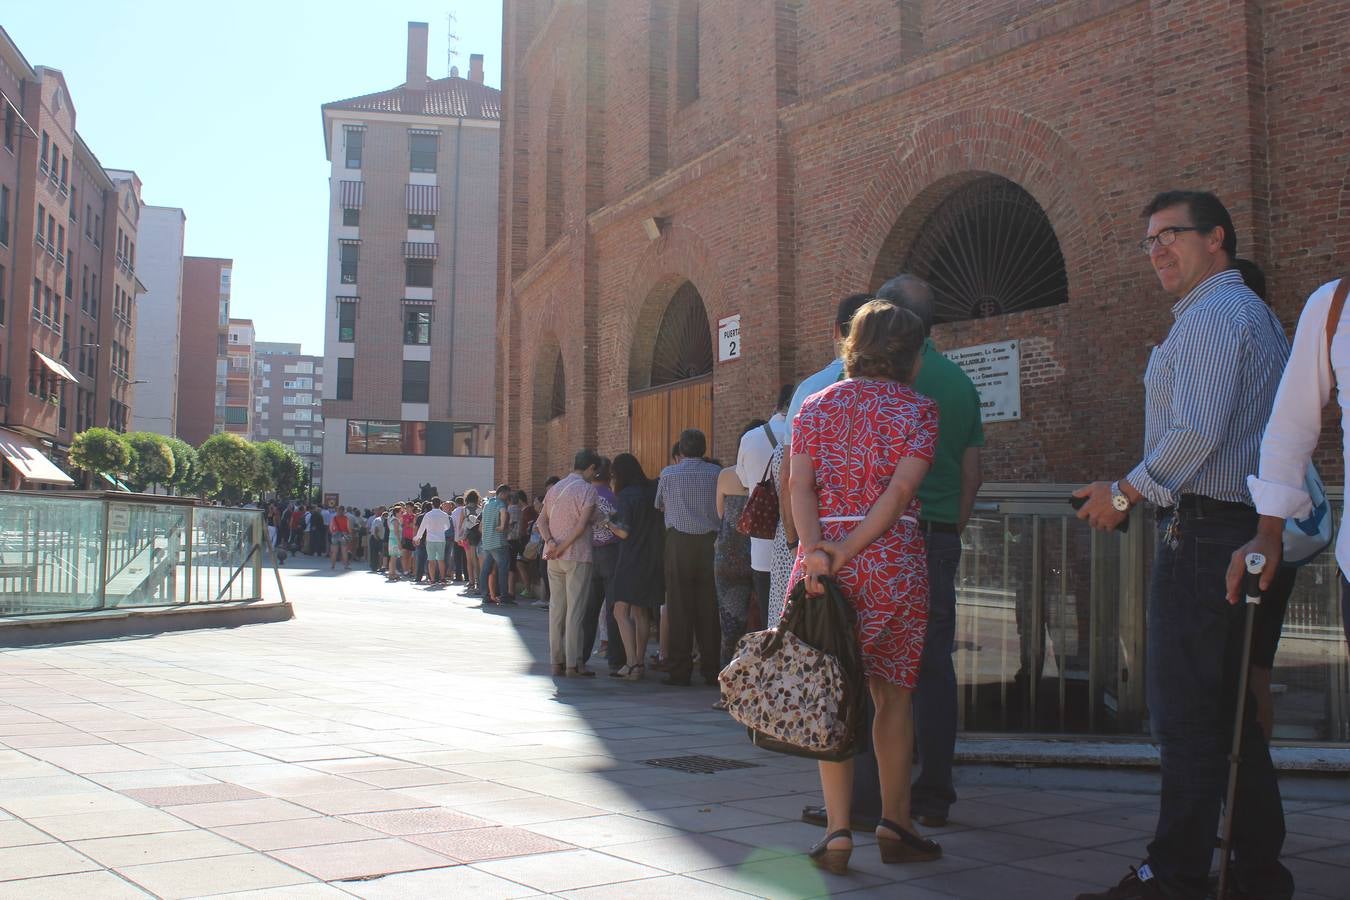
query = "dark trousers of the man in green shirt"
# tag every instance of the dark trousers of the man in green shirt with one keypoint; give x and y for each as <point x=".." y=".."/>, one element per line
<point x="935" y="698"/>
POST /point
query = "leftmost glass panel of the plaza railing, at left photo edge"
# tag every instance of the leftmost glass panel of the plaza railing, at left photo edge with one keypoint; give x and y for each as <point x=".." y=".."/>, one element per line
<point x="51" y="554"/>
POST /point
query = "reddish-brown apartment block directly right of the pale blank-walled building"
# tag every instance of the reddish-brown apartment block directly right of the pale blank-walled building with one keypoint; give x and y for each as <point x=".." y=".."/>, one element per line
<point x="203" y="364"/>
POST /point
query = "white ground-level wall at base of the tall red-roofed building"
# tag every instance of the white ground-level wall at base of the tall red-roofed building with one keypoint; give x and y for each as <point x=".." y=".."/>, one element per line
<point x="371" y="481"/>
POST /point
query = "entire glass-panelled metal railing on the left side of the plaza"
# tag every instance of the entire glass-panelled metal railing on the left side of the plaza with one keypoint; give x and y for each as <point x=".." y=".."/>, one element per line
<point x="75" y="553"/>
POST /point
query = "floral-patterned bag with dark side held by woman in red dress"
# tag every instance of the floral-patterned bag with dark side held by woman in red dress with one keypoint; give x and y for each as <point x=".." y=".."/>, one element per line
<point x="799" y="689"/>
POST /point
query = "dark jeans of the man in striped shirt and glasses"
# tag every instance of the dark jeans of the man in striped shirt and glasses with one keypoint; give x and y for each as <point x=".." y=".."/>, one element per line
<point x="1194" y="662"/>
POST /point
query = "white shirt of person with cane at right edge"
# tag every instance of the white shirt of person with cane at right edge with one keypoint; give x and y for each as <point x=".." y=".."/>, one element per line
<point x="1295" y="424"/>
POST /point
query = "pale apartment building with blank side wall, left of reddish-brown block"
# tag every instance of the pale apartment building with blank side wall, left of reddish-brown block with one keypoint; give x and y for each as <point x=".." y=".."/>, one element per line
<point x="159" y="320"/>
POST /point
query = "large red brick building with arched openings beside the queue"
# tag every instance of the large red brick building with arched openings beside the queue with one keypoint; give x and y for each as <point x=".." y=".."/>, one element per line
<point x="668" y="164"/>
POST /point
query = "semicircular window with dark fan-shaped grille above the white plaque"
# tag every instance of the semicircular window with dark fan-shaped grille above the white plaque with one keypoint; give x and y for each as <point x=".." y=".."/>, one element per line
<point x="988" y="250"/>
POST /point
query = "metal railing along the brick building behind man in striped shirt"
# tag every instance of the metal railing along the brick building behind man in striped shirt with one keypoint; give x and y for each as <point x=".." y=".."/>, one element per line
<point x="1051" y="627"/>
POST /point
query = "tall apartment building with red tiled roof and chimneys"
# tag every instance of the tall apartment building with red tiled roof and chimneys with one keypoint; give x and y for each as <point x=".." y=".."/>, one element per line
<point x="411" y="302"/>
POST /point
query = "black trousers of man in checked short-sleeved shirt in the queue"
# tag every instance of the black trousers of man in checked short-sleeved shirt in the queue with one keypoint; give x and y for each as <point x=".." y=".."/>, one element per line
<point x="692" y="600"/>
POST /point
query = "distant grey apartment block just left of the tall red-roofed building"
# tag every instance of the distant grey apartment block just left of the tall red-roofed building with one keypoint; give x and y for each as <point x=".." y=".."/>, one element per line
<point x="288" y="407"/>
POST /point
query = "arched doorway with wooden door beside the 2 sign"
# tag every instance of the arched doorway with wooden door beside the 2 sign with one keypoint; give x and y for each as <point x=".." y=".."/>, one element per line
<point x="670" y="376"/>
